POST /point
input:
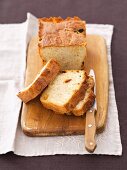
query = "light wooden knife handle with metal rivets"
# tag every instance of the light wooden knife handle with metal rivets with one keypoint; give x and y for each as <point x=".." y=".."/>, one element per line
<point x="90" y="131"/>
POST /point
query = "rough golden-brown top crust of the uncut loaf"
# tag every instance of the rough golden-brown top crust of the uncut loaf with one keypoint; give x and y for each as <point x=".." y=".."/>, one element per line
<point x="55" y="31"/>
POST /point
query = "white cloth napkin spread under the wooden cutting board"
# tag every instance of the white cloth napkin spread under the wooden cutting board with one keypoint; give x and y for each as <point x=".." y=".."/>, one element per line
<point x="13" y="45"/>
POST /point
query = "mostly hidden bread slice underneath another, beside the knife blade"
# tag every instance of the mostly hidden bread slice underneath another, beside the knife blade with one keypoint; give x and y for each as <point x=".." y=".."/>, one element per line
<point x="84" y="105"/>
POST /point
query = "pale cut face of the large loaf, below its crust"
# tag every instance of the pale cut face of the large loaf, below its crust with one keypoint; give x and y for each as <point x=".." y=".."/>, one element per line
<point x="69" y="58"/>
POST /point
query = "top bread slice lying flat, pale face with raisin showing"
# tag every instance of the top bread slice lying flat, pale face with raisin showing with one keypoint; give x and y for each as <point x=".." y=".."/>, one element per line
<point x="64" y="93"/>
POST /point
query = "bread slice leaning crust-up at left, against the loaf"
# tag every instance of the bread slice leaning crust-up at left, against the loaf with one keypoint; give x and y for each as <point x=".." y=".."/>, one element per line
<point x="46" y="75"/>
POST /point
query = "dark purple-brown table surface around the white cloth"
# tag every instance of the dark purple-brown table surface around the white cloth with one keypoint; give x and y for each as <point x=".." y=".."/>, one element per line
<point x="93" y="11"/>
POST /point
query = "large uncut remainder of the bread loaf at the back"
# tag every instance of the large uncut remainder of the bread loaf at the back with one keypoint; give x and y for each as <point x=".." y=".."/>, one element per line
<point x="63" y="39"/>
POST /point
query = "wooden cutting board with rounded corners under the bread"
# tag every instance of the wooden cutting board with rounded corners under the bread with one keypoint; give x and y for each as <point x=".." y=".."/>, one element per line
<point x="38" y="121"/>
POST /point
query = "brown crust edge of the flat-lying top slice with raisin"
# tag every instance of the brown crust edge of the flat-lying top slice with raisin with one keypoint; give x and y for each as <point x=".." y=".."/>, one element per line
<point x="72" y="102"/>
